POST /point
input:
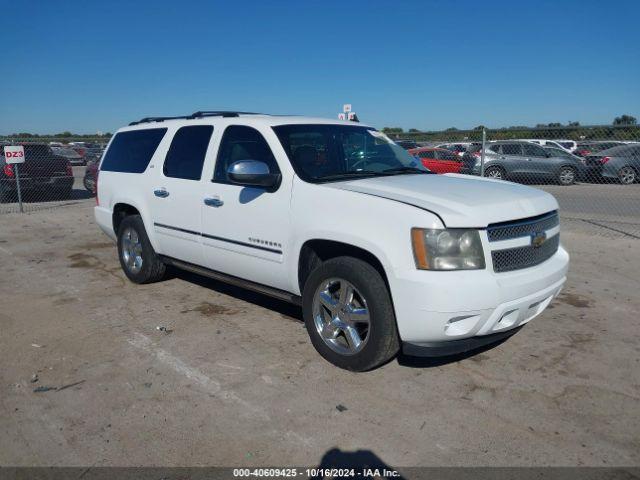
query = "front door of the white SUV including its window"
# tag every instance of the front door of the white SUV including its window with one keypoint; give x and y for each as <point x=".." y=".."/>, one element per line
<point x="245" y="229"/>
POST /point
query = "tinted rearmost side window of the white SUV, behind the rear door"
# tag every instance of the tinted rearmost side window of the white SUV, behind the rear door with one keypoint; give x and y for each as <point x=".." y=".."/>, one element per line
<point x="131" y="152"/>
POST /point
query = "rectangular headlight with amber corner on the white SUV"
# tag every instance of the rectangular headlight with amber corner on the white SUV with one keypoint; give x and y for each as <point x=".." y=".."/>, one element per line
<point x="448" y="249"/>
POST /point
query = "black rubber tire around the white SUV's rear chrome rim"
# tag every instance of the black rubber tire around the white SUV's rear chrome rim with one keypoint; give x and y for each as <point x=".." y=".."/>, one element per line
<point x="152" y="268"/>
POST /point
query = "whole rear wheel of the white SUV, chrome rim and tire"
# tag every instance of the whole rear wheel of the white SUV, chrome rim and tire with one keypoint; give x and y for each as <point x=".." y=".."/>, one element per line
<point x="138" y="259"/>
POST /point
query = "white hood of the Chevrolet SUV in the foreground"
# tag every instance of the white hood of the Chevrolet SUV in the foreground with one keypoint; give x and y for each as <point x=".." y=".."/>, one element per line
<point x="459" y="200"/>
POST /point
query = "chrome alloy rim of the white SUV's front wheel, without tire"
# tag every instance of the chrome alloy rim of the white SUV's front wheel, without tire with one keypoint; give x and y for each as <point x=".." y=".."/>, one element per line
<point x="341" y="316"/>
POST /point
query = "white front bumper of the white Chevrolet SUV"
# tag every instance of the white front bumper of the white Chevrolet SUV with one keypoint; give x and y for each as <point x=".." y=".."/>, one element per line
<point x="447" y="306"/>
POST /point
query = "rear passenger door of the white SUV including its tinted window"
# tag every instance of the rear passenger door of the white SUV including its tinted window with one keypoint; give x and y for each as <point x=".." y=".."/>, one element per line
<point x="176" y="194"/>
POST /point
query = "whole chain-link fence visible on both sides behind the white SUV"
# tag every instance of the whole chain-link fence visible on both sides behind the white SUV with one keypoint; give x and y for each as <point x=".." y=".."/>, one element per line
<point x="593" y="171"/>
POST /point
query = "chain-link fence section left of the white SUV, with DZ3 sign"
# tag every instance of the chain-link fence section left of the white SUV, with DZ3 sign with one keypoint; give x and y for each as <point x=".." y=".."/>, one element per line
<point x="47" y="173"/>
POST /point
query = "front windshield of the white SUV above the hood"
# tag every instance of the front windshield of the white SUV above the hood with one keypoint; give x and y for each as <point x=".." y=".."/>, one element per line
<point x="332" y="152"/>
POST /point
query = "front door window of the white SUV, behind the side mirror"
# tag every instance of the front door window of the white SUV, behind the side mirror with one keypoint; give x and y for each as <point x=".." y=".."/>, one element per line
<point x="242" y="143"/>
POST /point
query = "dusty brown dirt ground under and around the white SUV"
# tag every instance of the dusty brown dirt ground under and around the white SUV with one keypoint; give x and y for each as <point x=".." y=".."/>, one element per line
<point x="88" y="379"/>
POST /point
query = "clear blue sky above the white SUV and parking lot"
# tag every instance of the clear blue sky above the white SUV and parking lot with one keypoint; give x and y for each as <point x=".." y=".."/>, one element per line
<point x="94" y="66"/>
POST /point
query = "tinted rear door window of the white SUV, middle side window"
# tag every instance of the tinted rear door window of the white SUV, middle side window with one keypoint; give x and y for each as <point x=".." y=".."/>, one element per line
<point x="187" y="151"/>
